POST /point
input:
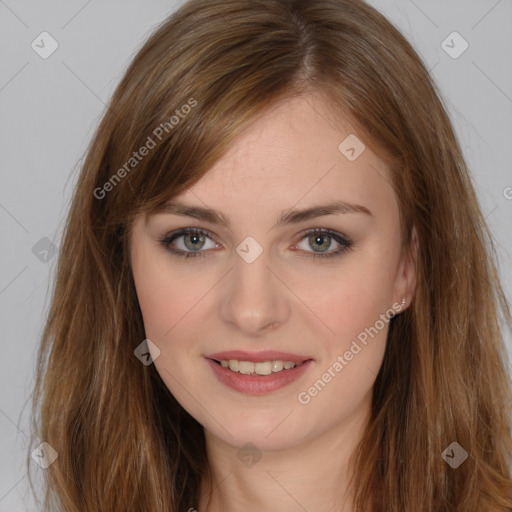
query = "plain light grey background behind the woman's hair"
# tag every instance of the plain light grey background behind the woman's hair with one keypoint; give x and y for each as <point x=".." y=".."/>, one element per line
<point x="50" y="107"/>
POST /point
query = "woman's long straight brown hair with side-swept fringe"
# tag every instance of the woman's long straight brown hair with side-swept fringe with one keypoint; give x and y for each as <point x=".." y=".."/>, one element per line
<point x="123" y="441"/>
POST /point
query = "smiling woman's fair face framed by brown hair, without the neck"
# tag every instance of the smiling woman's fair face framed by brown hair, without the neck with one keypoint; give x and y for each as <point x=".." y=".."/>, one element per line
<point x="263" y="283"/>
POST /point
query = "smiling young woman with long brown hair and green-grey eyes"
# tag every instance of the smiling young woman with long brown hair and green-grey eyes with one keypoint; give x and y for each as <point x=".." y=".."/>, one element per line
<point x="276" y="289"/>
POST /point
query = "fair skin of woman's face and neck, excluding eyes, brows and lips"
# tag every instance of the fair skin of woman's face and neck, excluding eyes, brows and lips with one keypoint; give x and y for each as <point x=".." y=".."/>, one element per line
<point x="285" y="300"/>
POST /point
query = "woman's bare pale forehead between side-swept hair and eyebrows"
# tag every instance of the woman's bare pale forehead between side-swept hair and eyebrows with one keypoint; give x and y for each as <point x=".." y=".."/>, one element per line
<point x="295" y="152"/>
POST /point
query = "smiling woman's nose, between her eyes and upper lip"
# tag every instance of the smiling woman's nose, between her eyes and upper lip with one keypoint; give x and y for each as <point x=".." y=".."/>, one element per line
<point x="255" y="300"/>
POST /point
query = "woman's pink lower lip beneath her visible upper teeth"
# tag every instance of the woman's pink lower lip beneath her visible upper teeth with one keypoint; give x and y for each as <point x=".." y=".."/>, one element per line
<point x="258" y="384"/>
